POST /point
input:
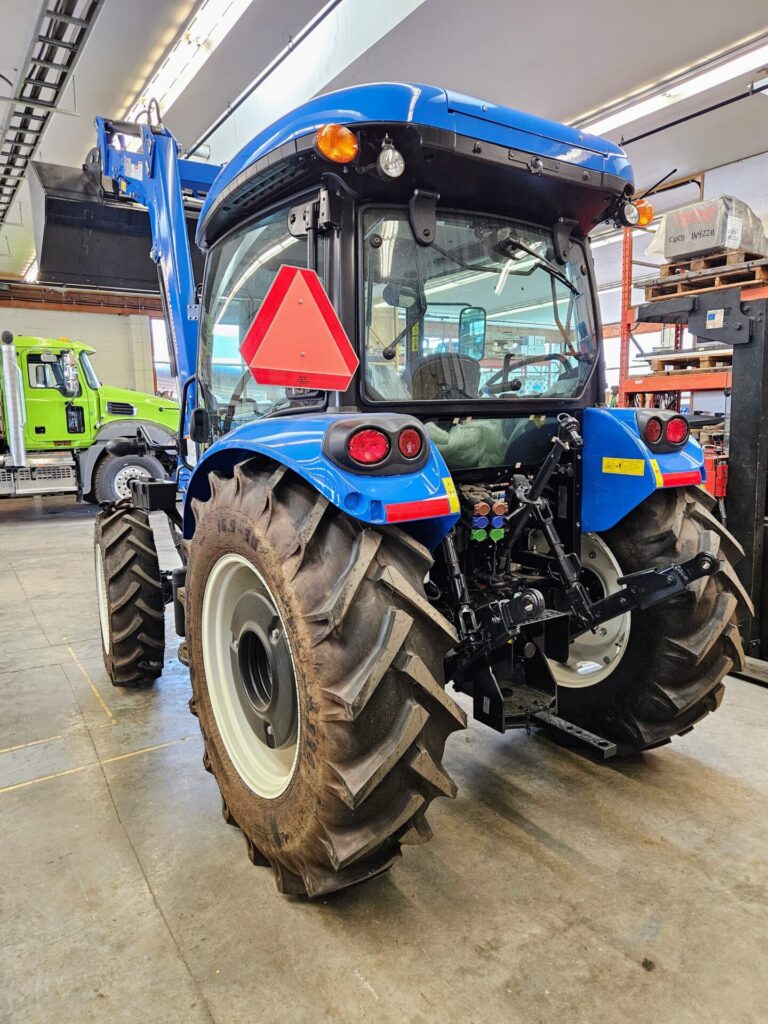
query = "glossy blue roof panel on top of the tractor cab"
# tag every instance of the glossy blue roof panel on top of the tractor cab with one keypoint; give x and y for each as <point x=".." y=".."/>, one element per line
<point x="426" y="105"/>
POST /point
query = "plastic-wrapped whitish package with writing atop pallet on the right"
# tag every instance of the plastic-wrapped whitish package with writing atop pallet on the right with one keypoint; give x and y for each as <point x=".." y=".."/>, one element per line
<point x="722" y="225"/>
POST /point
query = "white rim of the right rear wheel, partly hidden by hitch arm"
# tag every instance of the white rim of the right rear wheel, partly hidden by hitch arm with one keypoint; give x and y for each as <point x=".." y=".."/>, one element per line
<point x="595" y="655"/>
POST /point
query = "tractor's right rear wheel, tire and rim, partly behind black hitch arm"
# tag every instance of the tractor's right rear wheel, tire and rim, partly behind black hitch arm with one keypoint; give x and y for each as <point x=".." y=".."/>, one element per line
<point x="648" y="676"/>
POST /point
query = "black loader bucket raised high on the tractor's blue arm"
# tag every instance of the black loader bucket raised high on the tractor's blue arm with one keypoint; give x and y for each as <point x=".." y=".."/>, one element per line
<point x="87" y="238"/>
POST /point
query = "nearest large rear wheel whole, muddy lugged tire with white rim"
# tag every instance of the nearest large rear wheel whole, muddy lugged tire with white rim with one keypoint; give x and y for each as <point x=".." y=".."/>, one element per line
<point x="317" y="672"/>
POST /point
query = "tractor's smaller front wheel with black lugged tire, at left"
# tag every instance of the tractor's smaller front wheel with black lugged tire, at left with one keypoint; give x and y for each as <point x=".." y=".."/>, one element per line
<point x="131" y="596"/>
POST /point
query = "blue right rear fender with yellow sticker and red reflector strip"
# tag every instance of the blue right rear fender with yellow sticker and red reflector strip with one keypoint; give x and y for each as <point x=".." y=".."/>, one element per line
<point x="620" y="471"/>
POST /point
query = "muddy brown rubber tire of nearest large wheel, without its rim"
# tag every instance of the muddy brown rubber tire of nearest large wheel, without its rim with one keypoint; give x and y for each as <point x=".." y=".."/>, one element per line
<point x="369" y="656"/>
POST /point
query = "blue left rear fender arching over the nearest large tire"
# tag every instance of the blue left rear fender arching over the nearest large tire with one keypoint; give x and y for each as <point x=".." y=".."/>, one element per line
<point x="423" y="503"/>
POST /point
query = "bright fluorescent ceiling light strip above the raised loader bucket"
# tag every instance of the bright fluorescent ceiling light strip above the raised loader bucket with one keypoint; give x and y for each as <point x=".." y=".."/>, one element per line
<point x="212" y="22"/>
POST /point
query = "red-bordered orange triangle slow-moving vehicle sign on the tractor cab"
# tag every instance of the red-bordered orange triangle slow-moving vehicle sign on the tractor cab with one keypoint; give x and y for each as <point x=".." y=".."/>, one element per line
<point x="296" y="339"/>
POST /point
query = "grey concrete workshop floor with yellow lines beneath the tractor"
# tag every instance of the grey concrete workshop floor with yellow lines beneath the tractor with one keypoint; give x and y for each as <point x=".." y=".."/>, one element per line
<point x="556" y="890"/>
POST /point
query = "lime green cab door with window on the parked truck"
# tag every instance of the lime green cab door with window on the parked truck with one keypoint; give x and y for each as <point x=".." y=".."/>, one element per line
<point x="58" y="415"/>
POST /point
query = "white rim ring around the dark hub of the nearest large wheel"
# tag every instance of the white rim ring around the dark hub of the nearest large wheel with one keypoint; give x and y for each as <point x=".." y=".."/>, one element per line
<point x="267" y="772"/>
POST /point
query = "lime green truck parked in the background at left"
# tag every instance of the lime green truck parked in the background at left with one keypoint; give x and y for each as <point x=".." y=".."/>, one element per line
<point x="57" y="420"/>
